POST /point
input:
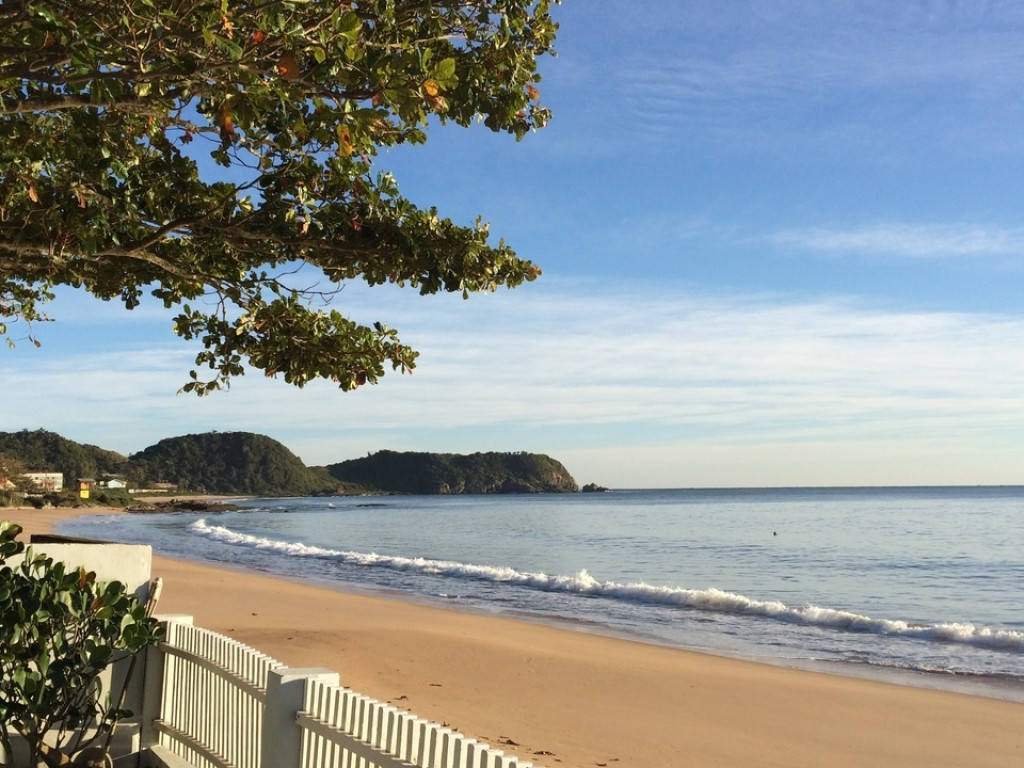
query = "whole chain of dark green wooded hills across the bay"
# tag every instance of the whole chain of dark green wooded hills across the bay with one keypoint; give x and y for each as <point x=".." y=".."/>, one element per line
<point x="249" y="464"/>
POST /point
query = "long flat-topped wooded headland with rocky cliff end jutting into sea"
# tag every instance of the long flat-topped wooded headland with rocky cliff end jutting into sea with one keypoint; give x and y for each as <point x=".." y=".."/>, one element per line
<point x="455" y="474"/>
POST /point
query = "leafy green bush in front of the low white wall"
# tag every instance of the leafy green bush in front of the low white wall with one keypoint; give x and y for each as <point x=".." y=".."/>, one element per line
<point x="60" y="629"/>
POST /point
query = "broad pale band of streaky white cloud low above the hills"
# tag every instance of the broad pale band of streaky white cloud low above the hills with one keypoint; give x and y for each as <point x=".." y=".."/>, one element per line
<point x="610" y="373"/>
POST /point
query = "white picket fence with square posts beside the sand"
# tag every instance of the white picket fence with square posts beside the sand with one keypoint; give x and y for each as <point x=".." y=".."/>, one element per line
<point x="211" y="702"/>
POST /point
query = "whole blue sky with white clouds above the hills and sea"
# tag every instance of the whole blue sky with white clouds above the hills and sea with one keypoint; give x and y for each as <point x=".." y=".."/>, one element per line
<point x="782" y="245"/>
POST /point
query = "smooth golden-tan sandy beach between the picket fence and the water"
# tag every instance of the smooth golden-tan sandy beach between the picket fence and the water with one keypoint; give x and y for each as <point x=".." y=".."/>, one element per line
<point x="562" y="698"/>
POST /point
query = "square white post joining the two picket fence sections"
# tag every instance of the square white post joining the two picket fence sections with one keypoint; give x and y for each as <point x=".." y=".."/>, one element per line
<point x="286" y="691"/>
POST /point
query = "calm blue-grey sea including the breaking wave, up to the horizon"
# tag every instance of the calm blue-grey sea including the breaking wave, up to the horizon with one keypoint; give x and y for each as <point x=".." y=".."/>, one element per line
<point x="922" y="585"/>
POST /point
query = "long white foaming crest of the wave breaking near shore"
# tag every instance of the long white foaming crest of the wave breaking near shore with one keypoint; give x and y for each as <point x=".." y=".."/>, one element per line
<point x="584" y="584"/>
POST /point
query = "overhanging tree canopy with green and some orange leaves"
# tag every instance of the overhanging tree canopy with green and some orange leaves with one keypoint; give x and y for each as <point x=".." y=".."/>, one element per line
<point x="115" y="114"/>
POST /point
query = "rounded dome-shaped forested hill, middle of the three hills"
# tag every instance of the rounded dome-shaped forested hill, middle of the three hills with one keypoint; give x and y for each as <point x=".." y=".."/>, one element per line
<point x="238" y="463"/>
